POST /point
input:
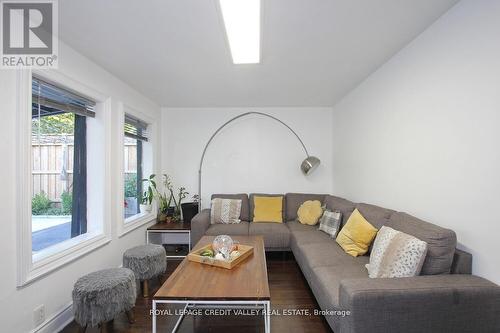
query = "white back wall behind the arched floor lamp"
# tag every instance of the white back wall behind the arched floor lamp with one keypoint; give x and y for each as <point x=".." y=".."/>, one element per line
<point x="254" y="154"/>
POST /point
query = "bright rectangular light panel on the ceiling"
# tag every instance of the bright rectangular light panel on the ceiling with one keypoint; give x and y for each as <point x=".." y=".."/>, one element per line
<point x="242" y="22"/>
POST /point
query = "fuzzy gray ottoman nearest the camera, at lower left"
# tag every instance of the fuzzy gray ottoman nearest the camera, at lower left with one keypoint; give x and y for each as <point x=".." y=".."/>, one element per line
<point x="100" y="296"/>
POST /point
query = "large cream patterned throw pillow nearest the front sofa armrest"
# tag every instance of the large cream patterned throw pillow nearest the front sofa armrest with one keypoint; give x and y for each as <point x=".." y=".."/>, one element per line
<point x="396" y="254"/>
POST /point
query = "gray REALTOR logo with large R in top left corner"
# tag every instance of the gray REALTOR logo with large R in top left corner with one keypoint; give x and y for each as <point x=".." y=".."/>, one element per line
<point x="29" y="34"/>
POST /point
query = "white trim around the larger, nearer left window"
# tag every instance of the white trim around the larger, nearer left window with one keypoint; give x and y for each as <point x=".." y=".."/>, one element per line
<point x="28" y="270"/>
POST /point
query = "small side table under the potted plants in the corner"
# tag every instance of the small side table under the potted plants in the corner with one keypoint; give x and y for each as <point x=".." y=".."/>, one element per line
<point x="171" y="234"/>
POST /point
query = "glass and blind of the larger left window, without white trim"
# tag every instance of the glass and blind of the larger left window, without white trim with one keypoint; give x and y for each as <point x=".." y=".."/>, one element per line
<point x="59" y="164"/>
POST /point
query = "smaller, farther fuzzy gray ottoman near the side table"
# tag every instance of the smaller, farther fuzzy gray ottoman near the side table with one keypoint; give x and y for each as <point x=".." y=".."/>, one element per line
<point x="146" y="261"/>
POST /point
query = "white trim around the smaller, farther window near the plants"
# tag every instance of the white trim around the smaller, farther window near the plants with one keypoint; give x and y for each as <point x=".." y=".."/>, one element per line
<point x="127" y="225"/>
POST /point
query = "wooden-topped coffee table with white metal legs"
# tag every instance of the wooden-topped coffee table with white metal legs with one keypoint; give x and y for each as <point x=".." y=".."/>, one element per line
<point x="200" y="286"/>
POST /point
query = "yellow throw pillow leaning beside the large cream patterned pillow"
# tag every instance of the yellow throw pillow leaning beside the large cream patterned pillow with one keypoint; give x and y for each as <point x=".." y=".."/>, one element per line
<point x="357" y="235"/>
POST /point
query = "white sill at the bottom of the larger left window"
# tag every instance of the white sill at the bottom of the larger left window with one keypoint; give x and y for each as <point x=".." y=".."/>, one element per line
<point x="62" y="254"/>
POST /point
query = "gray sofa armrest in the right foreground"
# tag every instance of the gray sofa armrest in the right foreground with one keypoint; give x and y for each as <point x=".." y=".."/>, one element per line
<point x="436" y="303"/>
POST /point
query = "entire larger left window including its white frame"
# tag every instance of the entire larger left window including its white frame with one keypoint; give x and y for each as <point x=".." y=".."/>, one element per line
<point x="59" y="116"/>
